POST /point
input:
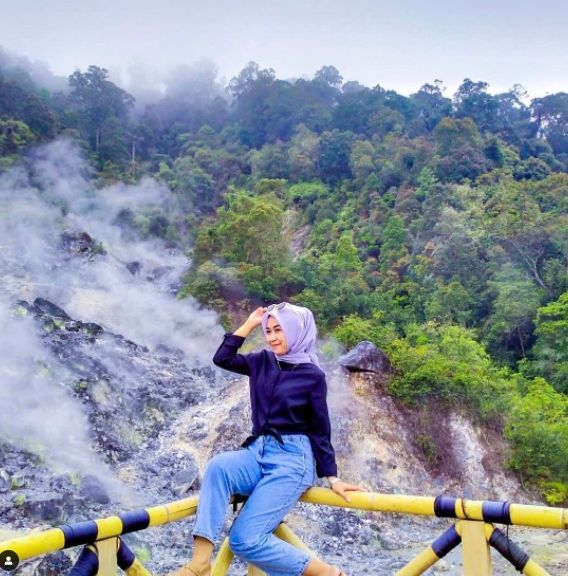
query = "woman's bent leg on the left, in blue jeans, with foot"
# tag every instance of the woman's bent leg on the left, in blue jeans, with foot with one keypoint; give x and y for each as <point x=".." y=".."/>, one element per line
<point x="226" y="474"/>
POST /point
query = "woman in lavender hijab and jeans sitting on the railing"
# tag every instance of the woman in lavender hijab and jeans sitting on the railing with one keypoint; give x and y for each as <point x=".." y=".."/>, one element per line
<point x="275" y="467"/>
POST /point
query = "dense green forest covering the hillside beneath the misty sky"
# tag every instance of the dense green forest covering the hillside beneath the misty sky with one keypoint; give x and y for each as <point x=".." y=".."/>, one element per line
<point x="435" y="226"/>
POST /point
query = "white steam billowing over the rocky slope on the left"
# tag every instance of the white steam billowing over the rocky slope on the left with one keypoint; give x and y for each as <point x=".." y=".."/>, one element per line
<point x="52" y="193"/>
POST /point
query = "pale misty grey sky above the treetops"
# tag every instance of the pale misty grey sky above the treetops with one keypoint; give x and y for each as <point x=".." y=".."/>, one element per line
<point x="397" y="44"/>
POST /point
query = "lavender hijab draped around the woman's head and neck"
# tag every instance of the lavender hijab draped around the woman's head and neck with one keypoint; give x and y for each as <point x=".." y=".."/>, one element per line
<point x="299" y="327"/>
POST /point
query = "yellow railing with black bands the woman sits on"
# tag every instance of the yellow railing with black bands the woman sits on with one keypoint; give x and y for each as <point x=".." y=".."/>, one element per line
<point x="474" y="530"/>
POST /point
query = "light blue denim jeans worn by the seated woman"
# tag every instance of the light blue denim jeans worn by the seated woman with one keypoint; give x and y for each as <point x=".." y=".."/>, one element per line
<point x="273" y="476"/>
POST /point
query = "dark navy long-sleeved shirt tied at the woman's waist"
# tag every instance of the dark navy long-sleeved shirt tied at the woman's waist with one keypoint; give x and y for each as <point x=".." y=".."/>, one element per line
<point x="285" y="398"/>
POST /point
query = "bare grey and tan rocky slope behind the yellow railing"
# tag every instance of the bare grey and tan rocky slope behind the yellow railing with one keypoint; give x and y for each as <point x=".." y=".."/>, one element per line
<point x="155" y="422"/>
